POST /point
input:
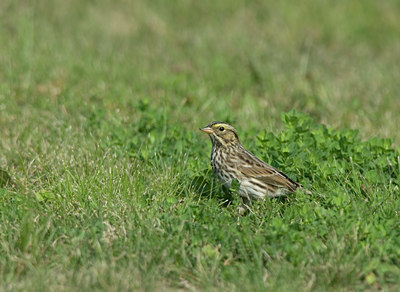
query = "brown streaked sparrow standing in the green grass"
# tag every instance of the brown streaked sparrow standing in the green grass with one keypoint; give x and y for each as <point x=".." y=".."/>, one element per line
<point x="230" y="160"/>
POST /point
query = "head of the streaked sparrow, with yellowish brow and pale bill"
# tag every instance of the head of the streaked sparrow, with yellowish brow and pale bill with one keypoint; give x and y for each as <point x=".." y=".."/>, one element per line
<point x="222" y="134"/>
